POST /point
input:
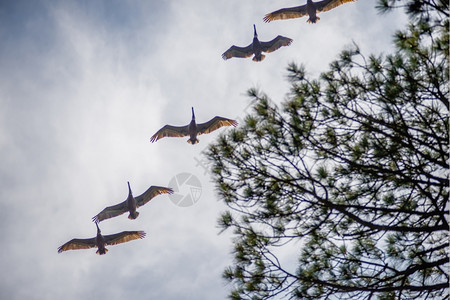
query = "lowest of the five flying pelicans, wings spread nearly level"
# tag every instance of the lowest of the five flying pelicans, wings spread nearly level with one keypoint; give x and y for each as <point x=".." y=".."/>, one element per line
<point x="100" y="241"/>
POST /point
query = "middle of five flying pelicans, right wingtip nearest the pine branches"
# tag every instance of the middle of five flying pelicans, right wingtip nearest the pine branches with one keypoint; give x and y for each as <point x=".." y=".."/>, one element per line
<point x="193" y="129"/>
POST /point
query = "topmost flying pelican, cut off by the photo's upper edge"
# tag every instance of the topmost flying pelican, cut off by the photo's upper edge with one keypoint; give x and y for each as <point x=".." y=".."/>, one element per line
<point x="310" y="8"/>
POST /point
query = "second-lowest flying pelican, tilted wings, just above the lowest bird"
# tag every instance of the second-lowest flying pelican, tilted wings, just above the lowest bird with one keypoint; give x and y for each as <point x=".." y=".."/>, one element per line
<point x="131" y="203"/>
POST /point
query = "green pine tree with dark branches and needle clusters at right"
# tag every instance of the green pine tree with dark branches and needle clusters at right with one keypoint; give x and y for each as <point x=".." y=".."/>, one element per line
<point x="351" y="170"/>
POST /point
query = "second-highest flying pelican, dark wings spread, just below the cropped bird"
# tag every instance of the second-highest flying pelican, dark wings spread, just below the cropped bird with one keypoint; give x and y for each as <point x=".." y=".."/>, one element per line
<point x="256" y="47"/>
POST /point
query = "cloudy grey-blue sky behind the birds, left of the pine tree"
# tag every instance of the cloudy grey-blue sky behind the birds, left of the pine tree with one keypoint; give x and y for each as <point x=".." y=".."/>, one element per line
<point x="83" y="87"/>
